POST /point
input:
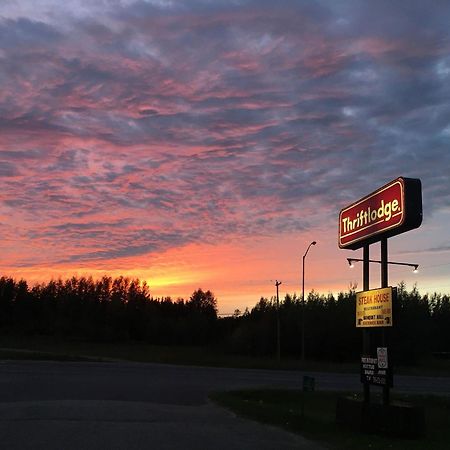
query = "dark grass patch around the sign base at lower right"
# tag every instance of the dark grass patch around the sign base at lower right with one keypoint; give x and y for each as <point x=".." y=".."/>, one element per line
<point x="312" y="414"/>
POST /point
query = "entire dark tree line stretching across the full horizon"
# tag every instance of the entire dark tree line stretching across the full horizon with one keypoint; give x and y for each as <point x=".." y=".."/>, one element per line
<point x="122" y="309"/>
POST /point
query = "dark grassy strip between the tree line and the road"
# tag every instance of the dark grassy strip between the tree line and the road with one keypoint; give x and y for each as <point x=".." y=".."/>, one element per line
<point x="26" y="347"/>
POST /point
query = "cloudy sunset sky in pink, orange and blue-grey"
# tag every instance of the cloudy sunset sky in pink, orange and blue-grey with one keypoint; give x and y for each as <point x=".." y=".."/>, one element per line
<point x="205" y="144"/>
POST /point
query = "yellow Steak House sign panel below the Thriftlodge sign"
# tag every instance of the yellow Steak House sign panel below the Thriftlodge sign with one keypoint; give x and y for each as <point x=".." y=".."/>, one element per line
<point x="374" y="308"/>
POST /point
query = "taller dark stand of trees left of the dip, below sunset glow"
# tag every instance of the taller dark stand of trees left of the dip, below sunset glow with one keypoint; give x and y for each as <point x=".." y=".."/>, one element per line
<point x="105" y="310"/>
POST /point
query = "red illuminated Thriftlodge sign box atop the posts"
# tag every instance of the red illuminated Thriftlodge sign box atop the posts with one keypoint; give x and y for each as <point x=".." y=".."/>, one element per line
<point x="390" y="210"/>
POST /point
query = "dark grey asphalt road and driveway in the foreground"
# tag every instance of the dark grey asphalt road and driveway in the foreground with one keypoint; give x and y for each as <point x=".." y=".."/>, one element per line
<point x="51" y="405"/>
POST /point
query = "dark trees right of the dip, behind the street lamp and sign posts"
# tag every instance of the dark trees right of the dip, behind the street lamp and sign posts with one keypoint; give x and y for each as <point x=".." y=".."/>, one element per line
<point x="421" y="327"/>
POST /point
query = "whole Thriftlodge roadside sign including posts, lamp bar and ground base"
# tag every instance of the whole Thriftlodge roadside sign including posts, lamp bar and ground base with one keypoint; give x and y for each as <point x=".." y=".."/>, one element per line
<point x="392" y="209"/>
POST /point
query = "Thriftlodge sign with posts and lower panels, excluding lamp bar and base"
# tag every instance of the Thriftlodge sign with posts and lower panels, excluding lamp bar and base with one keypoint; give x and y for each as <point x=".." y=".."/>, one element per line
<point x="390" y="210"/>
